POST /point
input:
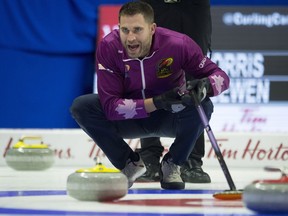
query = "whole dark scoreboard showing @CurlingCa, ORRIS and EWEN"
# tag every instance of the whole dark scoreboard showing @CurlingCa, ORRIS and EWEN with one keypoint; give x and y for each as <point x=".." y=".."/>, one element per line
<point x="251" y="45"/>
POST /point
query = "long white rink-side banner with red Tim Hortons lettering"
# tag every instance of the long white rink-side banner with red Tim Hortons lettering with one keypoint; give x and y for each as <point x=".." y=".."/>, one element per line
<point x="72" y="147"/>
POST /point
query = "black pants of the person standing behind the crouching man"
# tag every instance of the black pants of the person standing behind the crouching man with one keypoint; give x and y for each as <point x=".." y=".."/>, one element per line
<point x="193" y="18"/>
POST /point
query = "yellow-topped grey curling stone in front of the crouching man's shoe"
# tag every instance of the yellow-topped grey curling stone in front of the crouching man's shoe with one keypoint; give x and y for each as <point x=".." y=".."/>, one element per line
<point x="97" y="184"/>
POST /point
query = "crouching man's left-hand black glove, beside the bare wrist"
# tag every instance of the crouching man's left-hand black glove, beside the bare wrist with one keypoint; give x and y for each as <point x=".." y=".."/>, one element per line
<point x="170" y="101"/>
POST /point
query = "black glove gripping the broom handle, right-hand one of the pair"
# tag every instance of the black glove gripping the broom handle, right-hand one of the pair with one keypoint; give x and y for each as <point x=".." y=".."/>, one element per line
<point x="201" y="88"/>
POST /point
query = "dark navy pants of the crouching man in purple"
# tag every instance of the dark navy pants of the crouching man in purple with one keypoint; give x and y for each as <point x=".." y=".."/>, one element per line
<point x="185" y="126"/>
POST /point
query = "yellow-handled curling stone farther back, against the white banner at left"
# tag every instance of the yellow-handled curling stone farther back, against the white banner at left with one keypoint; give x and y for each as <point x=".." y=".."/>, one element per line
<point x="23" y="156"/>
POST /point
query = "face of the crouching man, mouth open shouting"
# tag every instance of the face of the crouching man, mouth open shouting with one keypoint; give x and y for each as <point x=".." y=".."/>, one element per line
<point x="136" y="35"/>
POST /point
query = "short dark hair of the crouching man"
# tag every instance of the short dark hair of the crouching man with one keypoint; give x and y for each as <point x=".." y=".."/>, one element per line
<point x="137" y="7"/>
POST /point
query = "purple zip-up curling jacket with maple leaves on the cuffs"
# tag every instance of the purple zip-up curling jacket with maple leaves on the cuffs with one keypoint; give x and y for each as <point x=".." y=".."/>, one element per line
<point x="123" y="83"/>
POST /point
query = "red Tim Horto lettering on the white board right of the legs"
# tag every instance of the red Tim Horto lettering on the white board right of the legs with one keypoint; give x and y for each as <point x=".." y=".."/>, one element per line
<point x="252" y="151"/>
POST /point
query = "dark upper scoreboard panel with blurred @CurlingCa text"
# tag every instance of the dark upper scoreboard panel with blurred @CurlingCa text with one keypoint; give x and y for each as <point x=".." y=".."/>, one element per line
<point x="250" y="28"/>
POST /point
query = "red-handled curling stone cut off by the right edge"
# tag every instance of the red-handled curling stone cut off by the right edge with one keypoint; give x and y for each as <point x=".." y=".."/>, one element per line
<point x="267" y="196"/>
